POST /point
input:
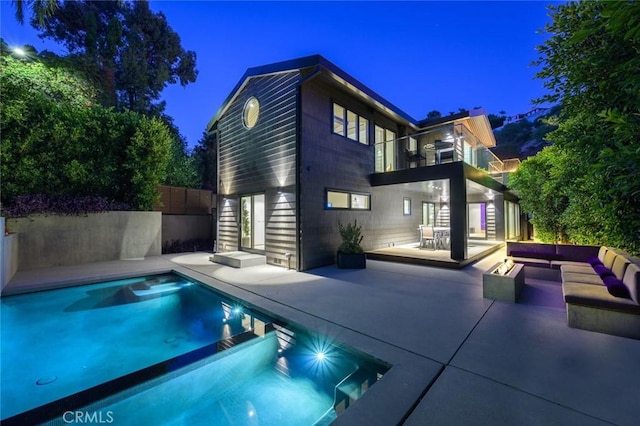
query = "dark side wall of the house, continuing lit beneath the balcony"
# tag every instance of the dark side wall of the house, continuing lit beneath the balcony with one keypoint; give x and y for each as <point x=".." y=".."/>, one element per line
<point x="333" y="161"/>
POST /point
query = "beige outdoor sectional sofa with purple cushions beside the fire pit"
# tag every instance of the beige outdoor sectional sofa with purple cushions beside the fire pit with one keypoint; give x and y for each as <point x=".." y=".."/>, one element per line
<point x="601" y="285"/>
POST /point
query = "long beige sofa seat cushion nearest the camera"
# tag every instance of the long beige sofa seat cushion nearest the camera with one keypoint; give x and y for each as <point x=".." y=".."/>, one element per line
<point x="598" y="297"/>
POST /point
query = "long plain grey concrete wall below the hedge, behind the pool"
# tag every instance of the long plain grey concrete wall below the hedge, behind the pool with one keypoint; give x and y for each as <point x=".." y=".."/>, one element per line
<point x="46" y="241"/>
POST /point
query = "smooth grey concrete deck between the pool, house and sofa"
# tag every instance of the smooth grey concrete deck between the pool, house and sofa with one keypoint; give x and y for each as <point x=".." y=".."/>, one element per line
<point x="457" y="358"/>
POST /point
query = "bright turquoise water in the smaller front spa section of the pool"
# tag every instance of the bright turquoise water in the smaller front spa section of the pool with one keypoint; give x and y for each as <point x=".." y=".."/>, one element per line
<point x="239" y="388"/>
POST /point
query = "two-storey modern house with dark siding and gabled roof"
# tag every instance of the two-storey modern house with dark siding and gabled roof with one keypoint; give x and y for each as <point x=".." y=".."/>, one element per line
<point x="302" y="145"/>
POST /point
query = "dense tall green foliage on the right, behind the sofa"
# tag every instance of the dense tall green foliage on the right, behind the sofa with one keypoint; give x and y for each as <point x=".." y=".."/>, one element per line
<point x="590" y="65"/>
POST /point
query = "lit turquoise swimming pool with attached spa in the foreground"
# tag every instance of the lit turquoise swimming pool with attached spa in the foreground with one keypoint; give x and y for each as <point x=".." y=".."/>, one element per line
<point x="170" y="349"/>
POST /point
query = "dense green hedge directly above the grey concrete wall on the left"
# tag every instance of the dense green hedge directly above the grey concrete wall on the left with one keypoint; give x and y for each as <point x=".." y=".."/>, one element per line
<point x="57" y="141"/>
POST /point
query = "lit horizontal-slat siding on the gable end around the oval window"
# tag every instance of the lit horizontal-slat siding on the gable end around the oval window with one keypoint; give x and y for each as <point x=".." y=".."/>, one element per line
<point x="261" y="160"/>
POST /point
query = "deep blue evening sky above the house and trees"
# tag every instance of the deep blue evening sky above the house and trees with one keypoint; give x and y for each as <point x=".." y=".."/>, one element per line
<point x="420" y="56"/>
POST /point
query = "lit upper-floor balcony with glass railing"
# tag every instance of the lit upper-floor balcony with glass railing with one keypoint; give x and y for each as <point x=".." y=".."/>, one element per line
<point x="445" y="144"/>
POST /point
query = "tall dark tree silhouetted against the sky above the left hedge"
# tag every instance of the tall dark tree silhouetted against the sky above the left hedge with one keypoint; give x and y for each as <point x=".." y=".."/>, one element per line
<point x="133" y="49"/>
